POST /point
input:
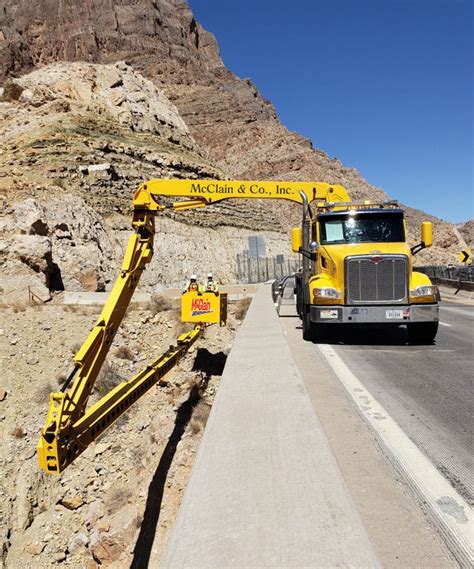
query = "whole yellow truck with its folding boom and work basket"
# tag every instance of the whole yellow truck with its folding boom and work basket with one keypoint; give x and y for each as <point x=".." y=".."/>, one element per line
<point x="357" y="268"/>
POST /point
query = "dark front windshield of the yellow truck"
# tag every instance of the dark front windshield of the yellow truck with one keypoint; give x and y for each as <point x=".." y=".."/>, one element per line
<point x="362" y="228"/>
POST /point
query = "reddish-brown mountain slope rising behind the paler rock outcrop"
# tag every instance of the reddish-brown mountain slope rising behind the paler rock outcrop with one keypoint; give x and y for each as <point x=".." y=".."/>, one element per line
<point x="227" y="117"/>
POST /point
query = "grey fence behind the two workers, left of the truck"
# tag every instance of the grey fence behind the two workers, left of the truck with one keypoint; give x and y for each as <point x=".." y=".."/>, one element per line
<point x="260" y="269"/>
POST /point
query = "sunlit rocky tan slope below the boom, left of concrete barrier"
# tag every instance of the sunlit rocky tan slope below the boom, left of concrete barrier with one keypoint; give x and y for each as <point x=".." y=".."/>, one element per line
<point x="99" y="512"/>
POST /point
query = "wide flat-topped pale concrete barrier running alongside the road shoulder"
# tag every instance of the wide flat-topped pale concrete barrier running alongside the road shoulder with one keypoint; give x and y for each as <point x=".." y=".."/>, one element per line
<point x="265" y="490"/>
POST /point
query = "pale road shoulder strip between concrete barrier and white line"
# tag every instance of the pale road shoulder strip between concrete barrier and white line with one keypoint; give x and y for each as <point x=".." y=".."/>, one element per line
<point x="400" y="533"/>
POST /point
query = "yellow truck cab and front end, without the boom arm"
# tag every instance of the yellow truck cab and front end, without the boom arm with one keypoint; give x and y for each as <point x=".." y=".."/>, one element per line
<point x="358" y="269"/>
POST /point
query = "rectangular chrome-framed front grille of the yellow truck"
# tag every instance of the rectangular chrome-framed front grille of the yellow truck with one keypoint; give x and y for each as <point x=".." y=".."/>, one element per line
<point x="376" y="279"/>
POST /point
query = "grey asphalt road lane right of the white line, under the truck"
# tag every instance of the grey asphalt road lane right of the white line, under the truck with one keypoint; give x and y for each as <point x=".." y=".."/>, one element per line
<point x="426" y="389"/>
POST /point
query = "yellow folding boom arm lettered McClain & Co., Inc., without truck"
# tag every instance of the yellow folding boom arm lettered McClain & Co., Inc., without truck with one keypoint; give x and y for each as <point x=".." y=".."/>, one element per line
<point x="70" y="428"/>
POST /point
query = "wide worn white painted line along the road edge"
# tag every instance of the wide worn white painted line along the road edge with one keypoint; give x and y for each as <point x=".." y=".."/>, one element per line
<point x="451" y="512"/>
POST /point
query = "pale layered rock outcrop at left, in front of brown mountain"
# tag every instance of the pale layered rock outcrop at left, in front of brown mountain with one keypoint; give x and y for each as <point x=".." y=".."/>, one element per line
<point x="78" y="139"/>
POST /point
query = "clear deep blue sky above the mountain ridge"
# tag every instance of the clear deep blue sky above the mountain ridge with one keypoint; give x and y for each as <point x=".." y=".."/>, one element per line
<point x="386" y="86"/>
